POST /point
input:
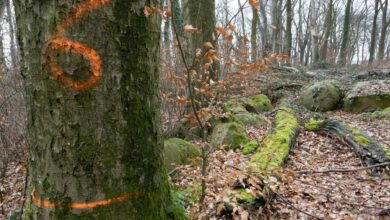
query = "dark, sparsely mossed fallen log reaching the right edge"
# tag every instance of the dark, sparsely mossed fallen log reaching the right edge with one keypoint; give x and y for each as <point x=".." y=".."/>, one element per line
<point x="369" y="150"/>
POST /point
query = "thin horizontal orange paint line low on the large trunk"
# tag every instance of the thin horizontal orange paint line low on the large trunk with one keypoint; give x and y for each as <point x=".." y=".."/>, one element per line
<point x="38" y="201"/>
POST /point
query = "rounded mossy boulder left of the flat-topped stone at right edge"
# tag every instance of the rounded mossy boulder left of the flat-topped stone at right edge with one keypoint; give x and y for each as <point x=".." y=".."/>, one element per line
<point x="322" y="96"/>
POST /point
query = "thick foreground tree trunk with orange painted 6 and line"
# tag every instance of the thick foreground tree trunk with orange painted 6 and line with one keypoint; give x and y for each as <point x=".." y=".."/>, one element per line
<point x="93" y="110"/>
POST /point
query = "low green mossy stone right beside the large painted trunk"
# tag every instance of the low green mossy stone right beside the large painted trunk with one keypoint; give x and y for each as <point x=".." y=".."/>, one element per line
<point x="179" y="151"/>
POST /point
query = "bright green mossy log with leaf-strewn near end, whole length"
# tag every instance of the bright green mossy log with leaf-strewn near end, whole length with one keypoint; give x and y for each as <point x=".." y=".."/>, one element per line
<point x="255" y="189"/>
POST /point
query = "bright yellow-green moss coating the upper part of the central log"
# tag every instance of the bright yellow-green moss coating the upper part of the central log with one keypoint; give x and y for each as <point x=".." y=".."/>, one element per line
<point x="276" y="146"/>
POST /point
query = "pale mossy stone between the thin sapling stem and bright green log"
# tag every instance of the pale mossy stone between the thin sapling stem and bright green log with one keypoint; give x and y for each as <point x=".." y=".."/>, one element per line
<point x="231" y="134"/>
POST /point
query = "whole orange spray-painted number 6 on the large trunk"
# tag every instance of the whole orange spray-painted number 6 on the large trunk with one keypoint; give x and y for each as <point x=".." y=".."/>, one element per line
<point x="57" y="43"/>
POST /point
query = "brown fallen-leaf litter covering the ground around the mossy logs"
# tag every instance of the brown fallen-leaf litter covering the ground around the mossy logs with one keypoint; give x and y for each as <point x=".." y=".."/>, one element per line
<point x="349" y="195"/>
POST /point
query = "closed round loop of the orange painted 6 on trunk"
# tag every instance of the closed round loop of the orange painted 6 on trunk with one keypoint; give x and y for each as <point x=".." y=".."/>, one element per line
<point x="74" y="47"/>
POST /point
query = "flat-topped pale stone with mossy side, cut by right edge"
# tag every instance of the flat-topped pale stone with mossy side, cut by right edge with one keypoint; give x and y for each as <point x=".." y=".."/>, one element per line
<point x="368" y="96"/>
